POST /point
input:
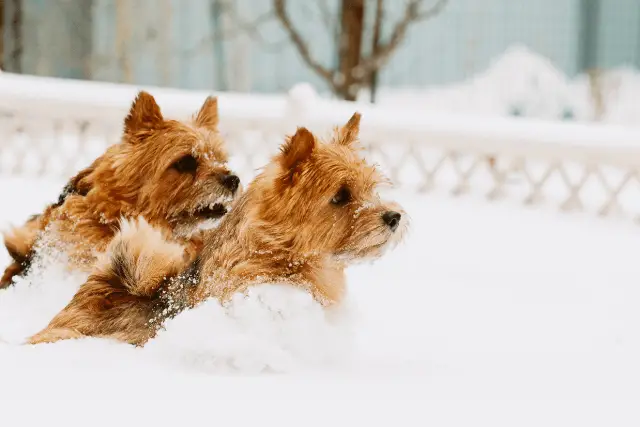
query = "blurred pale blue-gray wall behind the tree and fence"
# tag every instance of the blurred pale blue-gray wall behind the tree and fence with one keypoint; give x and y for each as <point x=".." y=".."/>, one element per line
<point x="174" y="43"/>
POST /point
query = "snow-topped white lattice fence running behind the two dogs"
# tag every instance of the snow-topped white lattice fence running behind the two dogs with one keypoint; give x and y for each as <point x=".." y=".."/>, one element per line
<point x="53" y="127"/>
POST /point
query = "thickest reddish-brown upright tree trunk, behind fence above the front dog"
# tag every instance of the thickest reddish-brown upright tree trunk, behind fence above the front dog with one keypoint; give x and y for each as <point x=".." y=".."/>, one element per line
<point x="350" y="49"/>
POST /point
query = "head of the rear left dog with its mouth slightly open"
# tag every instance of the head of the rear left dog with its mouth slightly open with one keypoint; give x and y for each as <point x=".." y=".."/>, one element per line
<point x="166" y="170"/>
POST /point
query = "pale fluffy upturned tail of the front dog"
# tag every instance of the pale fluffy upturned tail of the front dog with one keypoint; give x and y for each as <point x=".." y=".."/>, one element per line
<point x="140" y="259"/>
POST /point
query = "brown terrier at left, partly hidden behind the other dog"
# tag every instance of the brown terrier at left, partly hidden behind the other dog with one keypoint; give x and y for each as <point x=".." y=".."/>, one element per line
<point x="172" y="173"/>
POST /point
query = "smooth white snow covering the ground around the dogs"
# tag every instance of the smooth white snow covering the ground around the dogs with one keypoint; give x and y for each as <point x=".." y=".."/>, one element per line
<point x="487" y="315"/>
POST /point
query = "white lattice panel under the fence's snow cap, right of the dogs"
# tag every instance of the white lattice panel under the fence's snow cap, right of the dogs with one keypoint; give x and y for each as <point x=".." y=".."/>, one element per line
<point x="572" y="186"/>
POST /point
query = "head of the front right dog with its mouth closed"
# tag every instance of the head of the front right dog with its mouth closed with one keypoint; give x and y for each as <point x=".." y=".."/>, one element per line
<point x="320" y="198"/>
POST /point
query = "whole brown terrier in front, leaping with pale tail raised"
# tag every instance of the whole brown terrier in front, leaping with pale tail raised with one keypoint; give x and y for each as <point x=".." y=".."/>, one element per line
<point x="310" y="213"/>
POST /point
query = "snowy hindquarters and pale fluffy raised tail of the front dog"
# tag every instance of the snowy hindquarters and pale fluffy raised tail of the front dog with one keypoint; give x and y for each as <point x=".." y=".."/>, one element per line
<point x="118" y="299"/>
